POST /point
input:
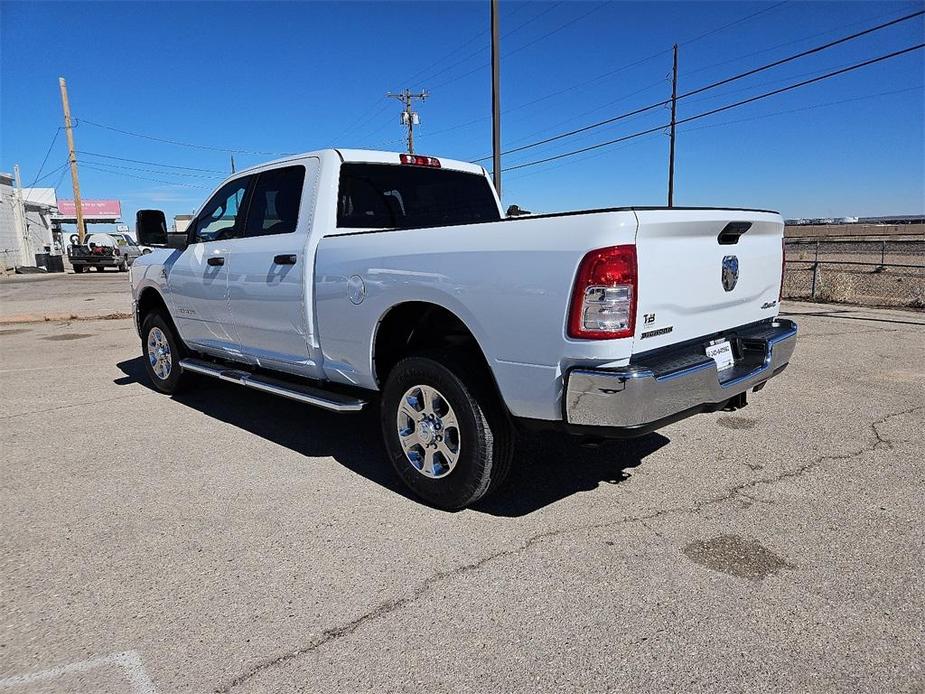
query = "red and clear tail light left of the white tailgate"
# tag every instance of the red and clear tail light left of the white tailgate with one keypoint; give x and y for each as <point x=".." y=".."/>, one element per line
<point x="604" y="299"/>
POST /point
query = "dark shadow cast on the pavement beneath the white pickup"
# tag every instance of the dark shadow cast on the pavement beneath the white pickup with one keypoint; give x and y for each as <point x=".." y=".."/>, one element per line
<point x="548" y="467"/>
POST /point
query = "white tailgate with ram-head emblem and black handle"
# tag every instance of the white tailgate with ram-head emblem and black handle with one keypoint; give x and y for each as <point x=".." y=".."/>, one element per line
<point x="683" y="255"/>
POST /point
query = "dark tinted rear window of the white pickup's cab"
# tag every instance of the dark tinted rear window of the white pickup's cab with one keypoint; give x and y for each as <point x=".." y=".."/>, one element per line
<point x="375" y="196"/>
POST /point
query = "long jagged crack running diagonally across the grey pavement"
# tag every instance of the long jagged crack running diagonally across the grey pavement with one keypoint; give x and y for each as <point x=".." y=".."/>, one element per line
<point x="390" y="606"/>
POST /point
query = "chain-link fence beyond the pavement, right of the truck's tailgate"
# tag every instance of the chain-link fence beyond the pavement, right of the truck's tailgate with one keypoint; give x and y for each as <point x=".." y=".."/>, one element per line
<point x="871" y="272"/>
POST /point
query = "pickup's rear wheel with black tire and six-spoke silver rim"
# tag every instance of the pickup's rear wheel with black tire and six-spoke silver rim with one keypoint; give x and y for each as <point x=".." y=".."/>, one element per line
<point x="447" y="438"/>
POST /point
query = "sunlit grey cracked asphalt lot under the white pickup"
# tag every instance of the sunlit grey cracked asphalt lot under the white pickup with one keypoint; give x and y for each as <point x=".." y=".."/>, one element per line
<point x="224" y="540"/>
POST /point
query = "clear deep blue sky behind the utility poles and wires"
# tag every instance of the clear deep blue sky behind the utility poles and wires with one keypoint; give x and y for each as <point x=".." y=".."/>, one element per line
<point x="289" y="77"/>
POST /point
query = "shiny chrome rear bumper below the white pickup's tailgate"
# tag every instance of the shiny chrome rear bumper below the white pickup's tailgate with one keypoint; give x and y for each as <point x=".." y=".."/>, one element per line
<point x="637" y="396"/>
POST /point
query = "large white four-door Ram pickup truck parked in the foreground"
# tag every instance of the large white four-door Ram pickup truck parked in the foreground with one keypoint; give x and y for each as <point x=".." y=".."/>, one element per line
<point x="342" y="277"/>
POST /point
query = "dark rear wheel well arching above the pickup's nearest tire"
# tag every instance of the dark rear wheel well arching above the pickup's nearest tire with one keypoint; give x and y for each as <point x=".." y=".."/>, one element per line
<point x="415" y="326"/>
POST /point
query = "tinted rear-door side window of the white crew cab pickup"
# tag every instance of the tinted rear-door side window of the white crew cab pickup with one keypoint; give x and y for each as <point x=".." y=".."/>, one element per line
<point x="274" y="205"/>
